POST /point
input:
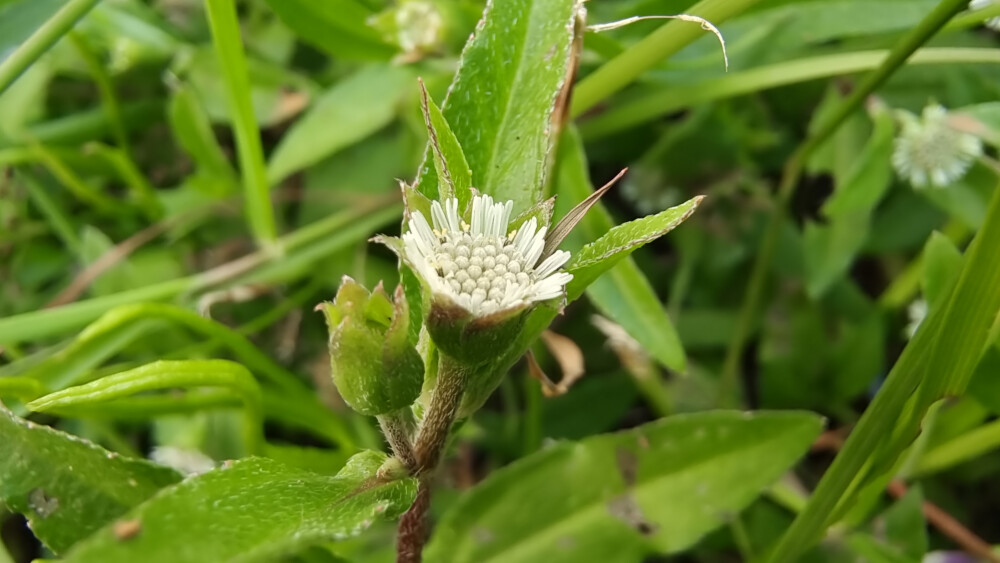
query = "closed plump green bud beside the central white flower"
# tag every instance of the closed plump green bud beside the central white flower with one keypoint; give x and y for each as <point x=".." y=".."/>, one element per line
<point x="375" y="367"/>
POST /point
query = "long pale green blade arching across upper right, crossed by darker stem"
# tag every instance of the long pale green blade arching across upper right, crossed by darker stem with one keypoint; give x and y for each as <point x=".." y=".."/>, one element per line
<point x="665" y="100"/>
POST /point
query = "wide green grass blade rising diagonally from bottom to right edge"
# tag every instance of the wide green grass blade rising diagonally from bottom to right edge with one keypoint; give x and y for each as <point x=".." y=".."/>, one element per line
<point x="940" y="358"/>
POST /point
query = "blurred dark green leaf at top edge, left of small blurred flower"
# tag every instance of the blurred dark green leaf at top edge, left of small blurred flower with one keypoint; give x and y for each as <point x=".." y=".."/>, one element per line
<point x="337" y="27"/>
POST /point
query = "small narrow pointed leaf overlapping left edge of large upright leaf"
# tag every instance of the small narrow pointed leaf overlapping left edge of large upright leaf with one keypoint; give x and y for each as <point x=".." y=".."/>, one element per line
<point x="449" y="161"/>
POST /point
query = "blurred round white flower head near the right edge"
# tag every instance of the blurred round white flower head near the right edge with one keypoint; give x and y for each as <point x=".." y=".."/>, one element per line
<point x="929" y="151"/>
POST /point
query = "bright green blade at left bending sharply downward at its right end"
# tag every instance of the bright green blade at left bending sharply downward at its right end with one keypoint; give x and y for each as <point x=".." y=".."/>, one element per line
<point x="167" y="375"/>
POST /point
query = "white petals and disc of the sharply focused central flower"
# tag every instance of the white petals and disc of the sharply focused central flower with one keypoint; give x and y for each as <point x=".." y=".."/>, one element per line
<point x="481" y="266"/>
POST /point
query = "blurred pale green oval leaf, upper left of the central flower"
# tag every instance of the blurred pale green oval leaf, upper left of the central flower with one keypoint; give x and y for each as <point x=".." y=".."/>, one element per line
<point x="346" y="113"/>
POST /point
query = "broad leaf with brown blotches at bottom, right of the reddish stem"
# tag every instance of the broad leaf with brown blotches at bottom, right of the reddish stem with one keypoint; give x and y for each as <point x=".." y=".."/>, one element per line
<point x="656" y="488"/>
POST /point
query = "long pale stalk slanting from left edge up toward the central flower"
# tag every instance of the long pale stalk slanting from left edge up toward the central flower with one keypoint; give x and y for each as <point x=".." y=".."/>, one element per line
<point x="329" y="235"/>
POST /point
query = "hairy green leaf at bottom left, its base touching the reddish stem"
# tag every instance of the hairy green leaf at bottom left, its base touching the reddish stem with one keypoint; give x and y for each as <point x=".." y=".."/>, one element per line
<point x="252" y="510"/>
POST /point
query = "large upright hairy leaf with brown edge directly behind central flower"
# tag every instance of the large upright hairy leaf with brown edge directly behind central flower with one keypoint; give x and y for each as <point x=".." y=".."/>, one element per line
<point x="504" y="96"/>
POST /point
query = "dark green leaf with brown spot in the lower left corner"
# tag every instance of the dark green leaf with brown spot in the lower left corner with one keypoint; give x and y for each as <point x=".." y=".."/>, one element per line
<point x="68" y="487"/>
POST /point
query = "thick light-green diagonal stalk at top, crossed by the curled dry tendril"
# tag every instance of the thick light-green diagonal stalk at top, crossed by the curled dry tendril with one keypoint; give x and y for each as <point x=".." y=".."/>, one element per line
<point x="667" y="40"/>
